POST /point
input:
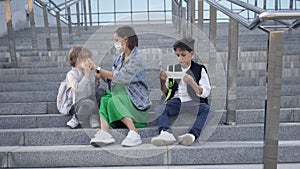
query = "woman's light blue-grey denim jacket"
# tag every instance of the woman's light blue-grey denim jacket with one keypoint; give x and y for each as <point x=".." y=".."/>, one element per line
<point x="132" y="74"/>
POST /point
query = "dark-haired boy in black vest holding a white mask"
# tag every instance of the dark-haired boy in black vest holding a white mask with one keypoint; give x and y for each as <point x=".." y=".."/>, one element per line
<point x="186" y="93"/>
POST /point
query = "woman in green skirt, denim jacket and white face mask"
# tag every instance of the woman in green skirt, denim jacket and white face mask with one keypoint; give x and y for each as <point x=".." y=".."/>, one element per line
<point x="127" y="103"/>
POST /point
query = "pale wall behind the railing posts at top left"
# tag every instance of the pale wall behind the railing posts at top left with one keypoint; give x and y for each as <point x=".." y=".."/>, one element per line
<point x="20" y="18"/>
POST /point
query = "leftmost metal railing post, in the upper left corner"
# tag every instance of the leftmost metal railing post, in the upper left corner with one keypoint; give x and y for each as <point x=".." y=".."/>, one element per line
<point x="11" y="35"/>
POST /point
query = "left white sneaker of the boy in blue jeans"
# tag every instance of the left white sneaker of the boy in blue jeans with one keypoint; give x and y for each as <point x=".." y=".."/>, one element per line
<point x="165" y="138"/>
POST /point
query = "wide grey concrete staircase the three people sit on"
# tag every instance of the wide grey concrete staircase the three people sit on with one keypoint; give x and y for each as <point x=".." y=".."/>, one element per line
<point x="33" y="134"/>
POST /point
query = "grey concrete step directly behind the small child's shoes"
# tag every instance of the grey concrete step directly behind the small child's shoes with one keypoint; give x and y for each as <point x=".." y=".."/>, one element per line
<point x="40" y="118"/>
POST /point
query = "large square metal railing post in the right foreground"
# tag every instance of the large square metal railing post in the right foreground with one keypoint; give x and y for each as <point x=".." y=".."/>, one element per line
<point x="272" y="112"/>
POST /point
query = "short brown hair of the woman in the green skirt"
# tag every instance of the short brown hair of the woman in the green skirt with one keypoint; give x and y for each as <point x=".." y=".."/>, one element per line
<point x="127" y="31"/>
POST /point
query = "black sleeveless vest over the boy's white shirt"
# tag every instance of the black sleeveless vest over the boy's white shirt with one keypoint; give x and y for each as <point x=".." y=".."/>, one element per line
<point x="195" y="72"/>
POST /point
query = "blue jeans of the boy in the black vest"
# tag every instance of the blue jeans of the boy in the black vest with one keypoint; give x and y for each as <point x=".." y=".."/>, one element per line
<point x="174" y="106"/>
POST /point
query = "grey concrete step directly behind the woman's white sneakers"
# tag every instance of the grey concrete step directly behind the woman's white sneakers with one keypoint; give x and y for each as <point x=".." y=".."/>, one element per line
<point x="67" y="136"/>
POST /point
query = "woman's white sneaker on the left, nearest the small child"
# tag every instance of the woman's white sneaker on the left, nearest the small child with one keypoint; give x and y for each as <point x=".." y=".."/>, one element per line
<point x="102" y="138"/>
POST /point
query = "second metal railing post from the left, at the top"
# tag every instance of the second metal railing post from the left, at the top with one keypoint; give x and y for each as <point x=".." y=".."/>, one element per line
<point x="32" y="25"/>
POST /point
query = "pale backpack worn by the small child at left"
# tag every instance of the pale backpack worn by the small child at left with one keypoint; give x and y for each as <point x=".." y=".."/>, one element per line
<point x="64" y="99"/>
